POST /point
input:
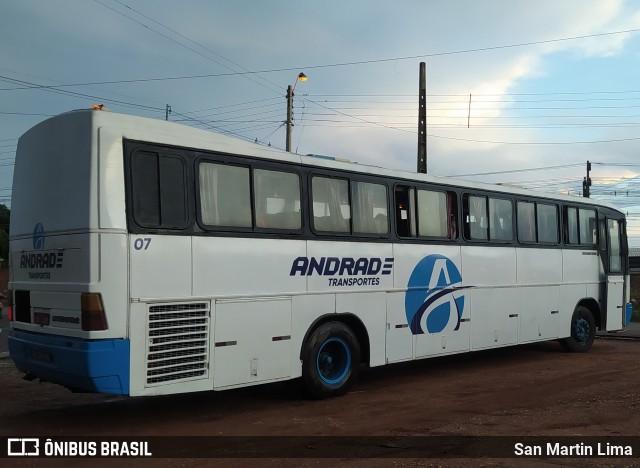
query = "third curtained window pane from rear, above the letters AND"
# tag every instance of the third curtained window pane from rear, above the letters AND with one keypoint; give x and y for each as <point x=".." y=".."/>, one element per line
<point x="331" y="209"/>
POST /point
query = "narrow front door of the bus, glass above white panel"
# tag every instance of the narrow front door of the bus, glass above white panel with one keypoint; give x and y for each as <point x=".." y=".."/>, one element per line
<point x="612" y="249"/>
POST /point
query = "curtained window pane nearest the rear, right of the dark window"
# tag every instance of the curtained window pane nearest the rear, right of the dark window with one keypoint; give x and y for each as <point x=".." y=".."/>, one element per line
<point x="225" y="195"/>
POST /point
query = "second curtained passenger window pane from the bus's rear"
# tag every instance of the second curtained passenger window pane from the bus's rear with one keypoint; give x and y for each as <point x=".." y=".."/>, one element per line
<point x="276" y="199"/>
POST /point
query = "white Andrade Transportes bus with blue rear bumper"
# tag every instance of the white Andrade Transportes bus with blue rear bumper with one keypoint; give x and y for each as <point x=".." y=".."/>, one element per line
<point x="152" y="258"/>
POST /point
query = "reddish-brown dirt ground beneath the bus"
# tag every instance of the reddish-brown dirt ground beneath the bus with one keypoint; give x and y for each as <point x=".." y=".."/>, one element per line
<point x="520" y="391"/>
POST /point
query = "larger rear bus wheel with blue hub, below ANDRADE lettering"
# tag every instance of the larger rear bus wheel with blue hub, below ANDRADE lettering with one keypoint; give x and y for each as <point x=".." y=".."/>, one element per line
<point x="330" y="360"/>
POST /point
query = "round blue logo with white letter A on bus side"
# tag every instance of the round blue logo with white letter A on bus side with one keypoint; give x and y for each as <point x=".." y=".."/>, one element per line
<point x="434" y="302"/>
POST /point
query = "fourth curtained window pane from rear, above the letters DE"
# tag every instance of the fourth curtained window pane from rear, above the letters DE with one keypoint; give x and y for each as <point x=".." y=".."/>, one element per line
<point x="369" y="203"/>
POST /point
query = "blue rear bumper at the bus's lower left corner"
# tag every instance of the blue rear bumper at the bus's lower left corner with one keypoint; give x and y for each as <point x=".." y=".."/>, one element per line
<point x="100" y="366"/>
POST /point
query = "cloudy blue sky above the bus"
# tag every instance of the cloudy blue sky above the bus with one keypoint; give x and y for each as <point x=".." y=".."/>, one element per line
<point x="522" y="92"/>
